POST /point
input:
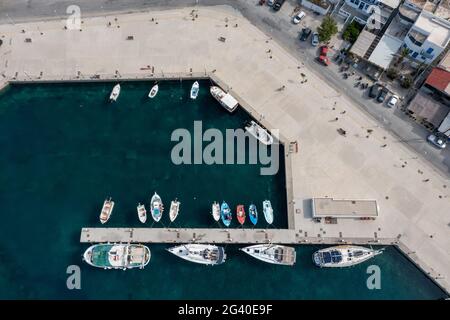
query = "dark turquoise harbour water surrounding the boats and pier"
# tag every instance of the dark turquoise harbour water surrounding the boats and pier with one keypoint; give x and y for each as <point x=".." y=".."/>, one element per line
<point x="65" y="148"/>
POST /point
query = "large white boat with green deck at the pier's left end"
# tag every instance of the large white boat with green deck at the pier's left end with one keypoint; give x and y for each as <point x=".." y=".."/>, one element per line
<point x="117" y="256"/>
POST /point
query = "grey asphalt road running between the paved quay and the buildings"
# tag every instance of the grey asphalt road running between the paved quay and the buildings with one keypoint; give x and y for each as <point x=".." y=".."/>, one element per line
<point x="275" y="24"/>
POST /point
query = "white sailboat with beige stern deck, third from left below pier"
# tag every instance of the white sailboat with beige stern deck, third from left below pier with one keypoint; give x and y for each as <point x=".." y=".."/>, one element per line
<point x="272" y="253"/>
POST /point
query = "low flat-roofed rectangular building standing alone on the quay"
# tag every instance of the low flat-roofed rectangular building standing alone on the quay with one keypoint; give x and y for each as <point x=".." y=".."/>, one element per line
<point x="344" y="208"/>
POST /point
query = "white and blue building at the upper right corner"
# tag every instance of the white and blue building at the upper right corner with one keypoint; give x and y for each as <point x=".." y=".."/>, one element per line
<point x="428" y="37"/>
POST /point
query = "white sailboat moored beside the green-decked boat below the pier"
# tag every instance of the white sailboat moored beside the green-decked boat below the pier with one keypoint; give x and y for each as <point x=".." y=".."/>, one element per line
<point x="200" y="253"/>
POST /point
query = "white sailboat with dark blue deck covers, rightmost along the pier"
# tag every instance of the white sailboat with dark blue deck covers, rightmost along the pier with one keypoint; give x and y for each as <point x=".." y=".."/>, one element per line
<point x="343" y="256"/>
